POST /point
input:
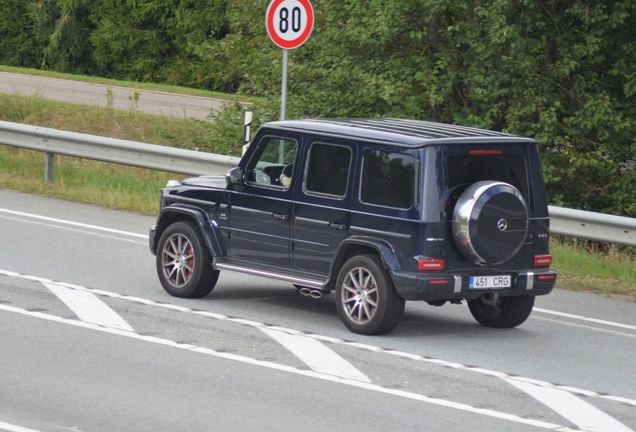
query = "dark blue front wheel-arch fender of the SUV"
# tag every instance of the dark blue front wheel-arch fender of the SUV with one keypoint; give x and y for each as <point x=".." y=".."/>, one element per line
<point x="180" y="212"/>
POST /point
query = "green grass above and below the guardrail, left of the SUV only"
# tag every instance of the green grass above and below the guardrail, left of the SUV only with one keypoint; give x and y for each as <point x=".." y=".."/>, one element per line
<point x="109" y="185"/>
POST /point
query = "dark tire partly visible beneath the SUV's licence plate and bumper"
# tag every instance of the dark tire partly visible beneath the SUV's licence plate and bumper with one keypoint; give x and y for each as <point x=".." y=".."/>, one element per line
<point x="490" y="310"/>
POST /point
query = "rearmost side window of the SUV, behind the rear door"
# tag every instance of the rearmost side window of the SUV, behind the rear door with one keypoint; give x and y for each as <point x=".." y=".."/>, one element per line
<point x="388" y="179"/>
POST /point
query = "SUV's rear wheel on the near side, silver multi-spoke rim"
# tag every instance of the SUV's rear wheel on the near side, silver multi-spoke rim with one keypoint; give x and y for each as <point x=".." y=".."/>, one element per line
<point x="366" y="300"/>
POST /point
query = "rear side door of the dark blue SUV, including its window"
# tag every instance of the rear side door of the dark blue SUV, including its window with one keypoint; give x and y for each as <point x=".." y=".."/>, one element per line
<point x="321" y="214"/>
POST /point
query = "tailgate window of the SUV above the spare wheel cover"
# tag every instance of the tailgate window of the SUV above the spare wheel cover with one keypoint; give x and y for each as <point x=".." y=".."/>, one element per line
<point x="466" y="169"/>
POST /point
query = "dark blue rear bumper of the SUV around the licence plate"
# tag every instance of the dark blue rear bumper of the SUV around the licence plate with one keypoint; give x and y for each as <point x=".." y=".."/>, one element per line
<point x="449" y="286"/>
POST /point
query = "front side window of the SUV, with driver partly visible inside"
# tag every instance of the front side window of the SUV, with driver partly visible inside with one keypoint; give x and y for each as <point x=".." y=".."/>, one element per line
<point x="273" y="163"/>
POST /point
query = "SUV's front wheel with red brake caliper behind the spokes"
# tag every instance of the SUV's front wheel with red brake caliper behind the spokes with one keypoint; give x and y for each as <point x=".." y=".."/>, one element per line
<point x="184" y="262"/>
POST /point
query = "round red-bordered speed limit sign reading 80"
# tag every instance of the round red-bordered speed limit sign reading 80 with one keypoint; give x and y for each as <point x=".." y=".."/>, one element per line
<point x="289" y="22"/>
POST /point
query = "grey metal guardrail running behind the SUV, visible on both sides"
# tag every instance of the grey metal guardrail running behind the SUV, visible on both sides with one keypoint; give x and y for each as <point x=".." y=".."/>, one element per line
<point x="563" y="221"/>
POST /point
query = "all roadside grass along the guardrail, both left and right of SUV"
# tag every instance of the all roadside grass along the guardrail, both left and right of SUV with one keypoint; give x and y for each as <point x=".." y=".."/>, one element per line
<point x="602" y="269"/>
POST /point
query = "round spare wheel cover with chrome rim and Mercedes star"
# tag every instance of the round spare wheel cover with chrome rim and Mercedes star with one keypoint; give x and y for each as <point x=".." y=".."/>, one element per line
<point x="490" y="222"/>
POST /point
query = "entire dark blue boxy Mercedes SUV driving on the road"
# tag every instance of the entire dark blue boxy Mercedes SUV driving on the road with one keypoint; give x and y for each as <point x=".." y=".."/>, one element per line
<point x="378" y="210"/>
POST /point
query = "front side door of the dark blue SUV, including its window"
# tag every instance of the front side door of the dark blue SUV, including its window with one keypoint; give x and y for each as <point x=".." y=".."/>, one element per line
<point x="260" y="214"/>
